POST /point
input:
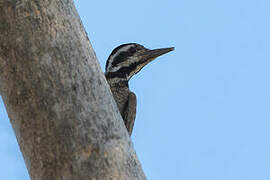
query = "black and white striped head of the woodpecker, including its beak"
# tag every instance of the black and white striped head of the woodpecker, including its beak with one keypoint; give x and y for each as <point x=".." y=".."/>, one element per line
<point x="128" y="59"/>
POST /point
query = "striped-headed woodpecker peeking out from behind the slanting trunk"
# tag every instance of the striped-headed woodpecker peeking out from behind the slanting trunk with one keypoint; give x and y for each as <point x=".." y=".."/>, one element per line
<point x="124" y="62"/>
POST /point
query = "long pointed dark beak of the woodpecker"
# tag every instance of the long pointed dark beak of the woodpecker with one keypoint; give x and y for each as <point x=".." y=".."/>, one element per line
<point x="150" y="55"/>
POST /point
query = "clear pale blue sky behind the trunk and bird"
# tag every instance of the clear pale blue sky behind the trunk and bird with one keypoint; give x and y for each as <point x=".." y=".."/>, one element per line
<point x="204" y="109"/>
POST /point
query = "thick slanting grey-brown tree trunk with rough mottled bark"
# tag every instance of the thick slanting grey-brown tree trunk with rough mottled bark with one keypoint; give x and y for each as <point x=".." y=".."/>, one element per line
<point x="59" y="104"/>
